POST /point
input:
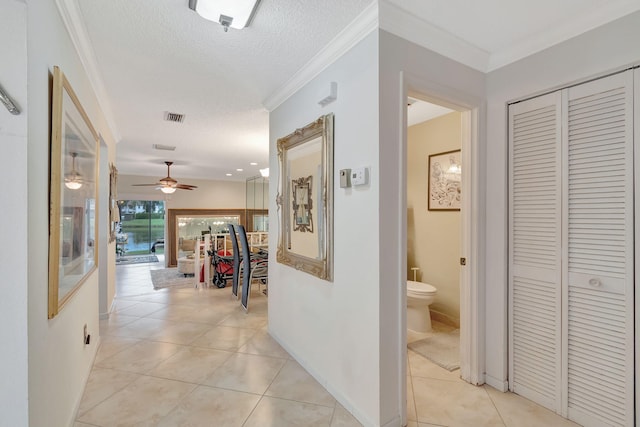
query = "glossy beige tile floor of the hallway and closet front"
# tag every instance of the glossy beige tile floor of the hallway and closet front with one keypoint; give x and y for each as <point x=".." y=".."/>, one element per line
<point x="179" y="357"/>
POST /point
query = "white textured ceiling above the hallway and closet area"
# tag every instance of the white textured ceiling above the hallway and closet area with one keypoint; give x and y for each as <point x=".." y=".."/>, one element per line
<point x="158" y="55"/>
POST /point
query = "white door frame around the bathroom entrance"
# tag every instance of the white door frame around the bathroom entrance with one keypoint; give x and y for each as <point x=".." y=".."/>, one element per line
<point x="471" y="312"/>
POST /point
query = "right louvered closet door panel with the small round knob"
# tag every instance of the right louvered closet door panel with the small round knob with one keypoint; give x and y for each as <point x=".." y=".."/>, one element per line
<point x="598" y="308"/>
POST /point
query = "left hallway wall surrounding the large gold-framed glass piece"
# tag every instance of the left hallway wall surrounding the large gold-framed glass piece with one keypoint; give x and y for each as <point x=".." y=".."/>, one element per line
<point x="59" y="362"/>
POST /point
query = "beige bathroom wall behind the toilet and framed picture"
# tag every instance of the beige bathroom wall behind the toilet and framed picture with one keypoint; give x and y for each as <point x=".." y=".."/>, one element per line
<point x="433" y="237"/>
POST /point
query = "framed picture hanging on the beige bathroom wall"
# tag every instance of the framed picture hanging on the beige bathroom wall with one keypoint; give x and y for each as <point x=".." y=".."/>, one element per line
<point x="444" y="181"/>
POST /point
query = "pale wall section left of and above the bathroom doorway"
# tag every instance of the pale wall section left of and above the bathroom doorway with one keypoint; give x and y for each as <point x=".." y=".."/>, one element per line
<point x="406" y="66"/>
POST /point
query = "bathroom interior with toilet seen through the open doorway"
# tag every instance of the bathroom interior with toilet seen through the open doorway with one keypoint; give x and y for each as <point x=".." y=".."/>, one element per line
<point x="434" y="191"/>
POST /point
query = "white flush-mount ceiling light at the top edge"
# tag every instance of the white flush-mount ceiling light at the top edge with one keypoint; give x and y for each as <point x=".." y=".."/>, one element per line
<point x="229" y="13"/>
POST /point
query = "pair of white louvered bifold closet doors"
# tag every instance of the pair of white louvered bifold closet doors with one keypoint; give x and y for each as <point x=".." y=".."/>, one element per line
<point x="572" y="251"/>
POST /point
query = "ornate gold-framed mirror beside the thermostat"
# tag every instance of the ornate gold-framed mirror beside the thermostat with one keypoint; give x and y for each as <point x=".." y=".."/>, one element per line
<point x="305" y="199"/>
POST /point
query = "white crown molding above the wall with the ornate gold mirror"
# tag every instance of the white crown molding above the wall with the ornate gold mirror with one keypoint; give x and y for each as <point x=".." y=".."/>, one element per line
<point x="358" y="29"/>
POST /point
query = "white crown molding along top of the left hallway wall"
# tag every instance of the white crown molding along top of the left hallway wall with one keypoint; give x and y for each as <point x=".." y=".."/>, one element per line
<point x="71" y="16"/>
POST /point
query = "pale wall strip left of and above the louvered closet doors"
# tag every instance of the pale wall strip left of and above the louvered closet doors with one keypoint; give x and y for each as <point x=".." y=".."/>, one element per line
<point x="607" y="48"/>
